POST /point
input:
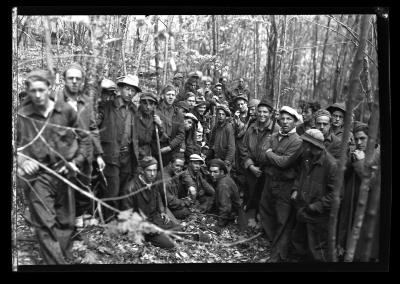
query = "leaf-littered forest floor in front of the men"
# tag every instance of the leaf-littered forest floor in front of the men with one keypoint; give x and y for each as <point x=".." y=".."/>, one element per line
<point x="207" y="244"/>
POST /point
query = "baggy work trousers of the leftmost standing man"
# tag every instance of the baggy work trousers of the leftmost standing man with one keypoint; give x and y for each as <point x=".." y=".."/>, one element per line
<point x="52" y="207"/>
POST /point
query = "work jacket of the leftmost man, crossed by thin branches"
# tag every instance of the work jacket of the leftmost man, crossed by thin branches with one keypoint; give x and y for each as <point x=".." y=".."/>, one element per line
<point x="71" y="145"/>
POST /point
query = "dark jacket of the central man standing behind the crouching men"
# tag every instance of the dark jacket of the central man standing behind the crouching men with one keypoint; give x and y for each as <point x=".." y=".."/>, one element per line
<point x="222" y="142"/>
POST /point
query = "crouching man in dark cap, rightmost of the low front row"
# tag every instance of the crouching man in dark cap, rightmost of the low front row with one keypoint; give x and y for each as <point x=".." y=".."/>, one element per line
<point x="227" y="194"/>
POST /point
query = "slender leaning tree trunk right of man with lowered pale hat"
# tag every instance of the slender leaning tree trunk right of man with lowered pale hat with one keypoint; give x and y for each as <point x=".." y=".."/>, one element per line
<point x="353" y="90"/>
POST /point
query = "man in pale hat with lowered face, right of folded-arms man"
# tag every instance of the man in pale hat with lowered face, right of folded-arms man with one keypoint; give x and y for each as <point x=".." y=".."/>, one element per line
<point x="312" y="194"/>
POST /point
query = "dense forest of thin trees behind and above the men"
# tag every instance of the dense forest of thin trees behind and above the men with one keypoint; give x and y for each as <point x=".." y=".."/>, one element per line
<point x="300" y="57"/>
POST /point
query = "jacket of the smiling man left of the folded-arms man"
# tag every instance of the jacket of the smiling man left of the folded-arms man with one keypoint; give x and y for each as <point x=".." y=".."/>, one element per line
<point x="256" y="141"/>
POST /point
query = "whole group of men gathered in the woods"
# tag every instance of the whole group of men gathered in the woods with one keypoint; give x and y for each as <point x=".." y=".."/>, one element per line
<point x="189" y="150"/>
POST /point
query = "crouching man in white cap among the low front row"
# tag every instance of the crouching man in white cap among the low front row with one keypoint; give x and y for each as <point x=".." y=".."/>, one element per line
<point x="205" y="191"/>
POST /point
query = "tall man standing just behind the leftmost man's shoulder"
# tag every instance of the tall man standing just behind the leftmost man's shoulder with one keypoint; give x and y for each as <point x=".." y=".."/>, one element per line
<point x="76" y="94"/>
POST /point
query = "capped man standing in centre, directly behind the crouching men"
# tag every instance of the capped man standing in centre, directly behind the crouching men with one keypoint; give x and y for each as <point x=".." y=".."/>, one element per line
<point x="222" y="139"/>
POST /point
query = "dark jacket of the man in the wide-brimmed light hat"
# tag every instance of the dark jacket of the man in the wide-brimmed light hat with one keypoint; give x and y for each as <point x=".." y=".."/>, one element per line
<point x="112" y="127"/>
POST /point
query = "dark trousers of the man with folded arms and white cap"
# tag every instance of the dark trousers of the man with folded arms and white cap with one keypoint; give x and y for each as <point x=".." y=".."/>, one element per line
<point x="277" y="216"/>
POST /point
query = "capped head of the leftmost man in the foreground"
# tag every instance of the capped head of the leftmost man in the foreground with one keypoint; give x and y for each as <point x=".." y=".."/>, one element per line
<point x="38" y="87"/>
